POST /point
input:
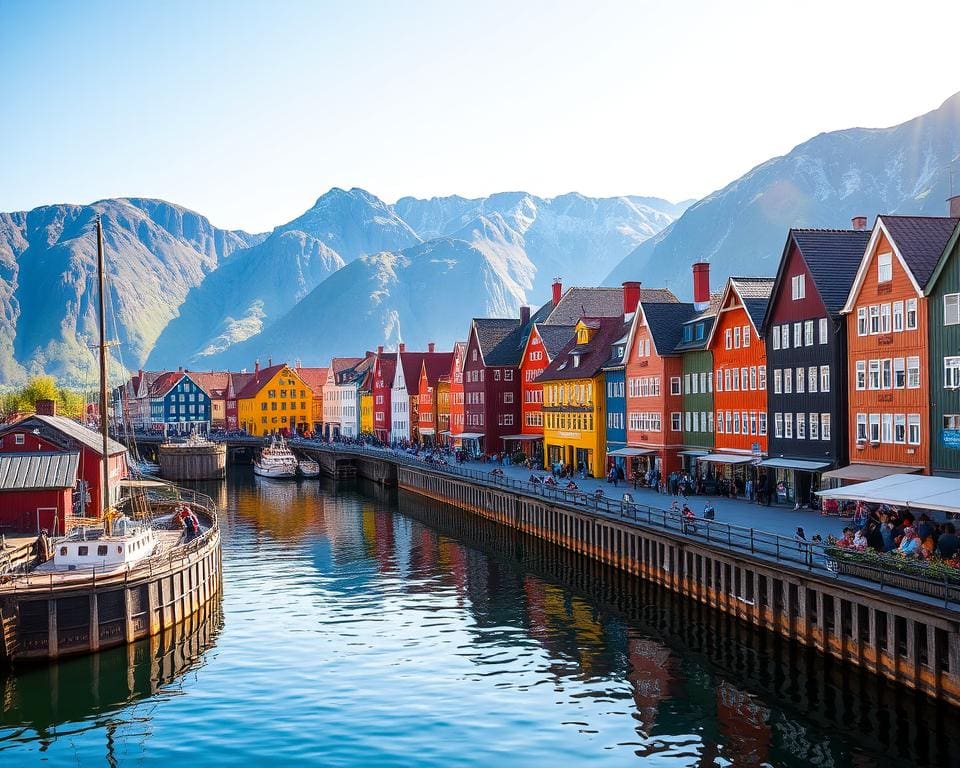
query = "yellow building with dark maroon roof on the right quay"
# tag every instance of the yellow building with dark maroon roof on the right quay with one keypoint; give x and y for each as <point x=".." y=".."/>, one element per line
<point x="574" y="398"/>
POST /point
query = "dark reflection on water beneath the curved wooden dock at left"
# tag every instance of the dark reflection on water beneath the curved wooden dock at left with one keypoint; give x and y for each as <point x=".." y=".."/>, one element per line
<point x="48" y="701"/>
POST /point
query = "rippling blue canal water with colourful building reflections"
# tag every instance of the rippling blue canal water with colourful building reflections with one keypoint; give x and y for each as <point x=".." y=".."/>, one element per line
<point x="364" y="627"/>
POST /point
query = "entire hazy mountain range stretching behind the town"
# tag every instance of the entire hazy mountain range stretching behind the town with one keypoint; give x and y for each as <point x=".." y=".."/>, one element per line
<point x="353" y="272"/>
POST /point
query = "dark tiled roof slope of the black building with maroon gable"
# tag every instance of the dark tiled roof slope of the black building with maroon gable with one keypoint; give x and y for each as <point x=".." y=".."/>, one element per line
<point x="833" y="257"/>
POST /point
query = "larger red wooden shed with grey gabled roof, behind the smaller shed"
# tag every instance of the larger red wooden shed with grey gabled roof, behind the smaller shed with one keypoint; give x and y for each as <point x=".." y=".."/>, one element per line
<point x="53" y="434"/>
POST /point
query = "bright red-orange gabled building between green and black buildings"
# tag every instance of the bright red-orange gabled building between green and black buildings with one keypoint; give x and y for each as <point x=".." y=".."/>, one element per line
<point x="739" y="378"/>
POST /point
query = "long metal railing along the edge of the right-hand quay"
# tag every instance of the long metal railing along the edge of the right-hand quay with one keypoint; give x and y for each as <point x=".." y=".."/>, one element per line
<point x="812" y="556"/>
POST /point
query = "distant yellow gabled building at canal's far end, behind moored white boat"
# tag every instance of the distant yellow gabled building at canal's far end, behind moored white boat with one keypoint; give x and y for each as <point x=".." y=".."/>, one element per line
<point x="274" y="400"/>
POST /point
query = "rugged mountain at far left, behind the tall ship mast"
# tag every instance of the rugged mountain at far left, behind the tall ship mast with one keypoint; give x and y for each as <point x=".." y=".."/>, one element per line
<point x="155" y="253"/>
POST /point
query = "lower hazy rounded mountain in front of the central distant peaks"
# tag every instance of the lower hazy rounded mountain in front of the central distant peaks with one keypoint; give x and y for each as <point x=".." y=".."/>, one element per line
<point x="424" y="293"/>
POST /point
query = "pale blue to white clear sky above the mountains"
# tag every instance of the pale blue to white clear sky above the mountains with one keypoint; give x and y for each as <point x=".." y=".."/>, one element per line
<point x="249" y="111"/>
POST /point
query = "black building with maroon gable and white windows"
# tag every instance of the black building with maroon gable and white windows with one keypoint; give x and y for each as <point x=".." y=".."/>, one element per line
<point x="806" y="344"/>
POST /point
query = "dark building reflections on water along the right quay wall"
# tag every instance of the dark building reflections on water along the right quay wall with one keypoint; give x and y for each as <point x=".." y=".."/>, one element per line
<point x="692" y="669"/>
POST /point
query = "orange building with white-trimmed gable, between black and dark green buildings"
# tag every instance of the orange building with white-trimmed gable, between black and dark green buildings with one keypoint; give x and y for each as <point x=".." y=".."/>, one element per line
<point x="888" y="348"/>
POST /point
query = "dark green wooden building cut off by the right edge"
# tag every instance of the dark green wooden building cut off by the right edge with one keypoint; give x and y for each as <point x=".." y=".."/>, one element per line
<point x="943" y="302"/>
